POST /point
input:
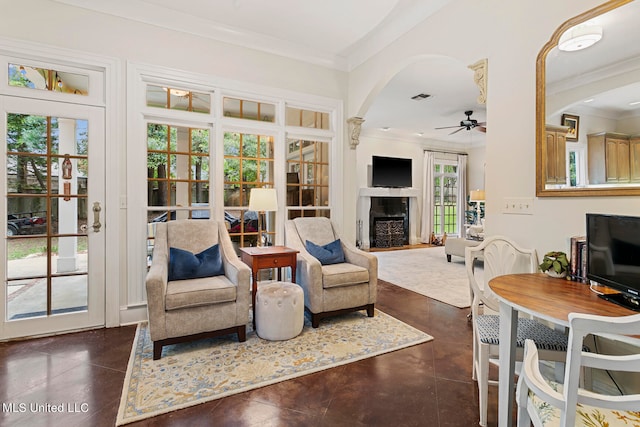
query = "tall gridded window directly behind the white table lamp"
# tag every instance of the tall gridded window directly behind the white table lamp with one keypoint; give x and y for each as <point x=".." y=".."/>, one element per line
<point x="248" y="163"/>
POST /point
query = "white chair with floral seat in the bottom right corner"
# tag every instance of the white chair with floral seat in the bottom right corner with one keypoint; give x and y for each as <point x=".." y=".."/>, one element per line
<point x="544" y="402"/>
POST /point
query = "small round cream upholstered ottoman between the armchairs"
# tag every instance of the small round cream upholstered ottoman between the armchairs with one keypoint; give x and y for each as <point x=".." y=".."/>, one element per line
<point x="279" y="311"/>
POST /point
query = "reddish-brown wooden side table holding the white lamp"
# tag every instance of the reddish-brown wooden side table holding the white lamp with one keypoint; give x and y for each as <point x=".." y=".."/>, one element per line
<point x="262" y="257"/>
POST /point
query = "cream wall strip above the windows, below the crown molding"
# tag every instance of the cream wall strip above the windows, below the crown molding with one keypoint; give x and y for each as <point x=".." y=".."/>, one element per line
<point x="75" y="28"/>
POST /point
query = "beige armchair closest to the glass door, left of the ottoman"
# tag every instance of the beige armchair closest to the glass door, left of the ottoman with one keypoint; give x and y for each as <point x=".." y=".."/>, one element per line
<point x="184" y="310"/>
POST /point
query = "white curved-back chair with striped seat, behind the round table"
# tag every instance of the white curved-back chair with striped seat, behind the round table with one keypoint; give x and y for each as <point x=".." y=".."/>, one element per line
<point x="502" y="256"/>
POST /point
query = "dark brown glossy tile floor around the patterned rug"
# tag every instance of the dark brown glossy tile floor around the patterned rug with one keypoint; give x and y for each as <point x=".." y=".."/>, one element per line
<point x="424" y="385"/>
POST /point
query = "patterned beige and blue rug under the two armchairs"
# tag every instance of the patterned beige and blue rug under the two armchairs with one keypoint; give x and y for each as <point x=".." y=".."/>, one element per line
<point x="193" y="373"/>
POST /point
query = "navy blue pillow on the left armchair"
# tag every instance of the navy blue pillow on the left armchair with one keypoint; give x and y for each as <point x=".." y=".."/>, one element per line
<point x="184" y="265"/>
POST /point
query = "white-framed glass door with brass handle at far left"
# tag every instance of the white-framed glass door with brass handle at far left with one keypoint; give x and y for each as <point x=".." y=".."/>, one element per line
<point x="53" y="186"/>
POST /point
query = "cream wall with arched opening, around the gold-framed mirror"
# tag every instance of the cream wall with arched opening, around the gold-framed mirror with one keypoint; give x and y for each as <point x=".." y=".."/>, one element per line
<point x="510" y="35"/>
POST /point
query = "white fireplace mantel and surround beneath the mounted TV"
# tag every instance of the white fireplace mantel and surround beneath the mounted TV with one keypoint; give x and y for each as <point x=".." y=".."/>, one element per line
<point x="364" y="206"/>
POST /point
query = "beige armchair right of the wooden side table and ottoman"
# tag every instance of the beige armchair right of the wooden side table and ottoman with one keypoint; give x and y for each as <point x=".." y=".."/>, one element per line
<point x="335" y="288"/>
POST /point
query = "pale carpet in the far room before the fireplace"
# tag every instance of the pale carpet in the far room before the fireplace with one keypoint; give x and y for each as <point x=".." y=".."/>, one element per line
<point x="427" y="272"/>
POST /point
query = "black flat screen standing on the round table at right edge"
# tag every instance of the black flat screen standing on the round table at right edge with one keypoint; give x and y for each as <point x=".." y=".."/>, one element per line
<point x="613" y="256"/>
